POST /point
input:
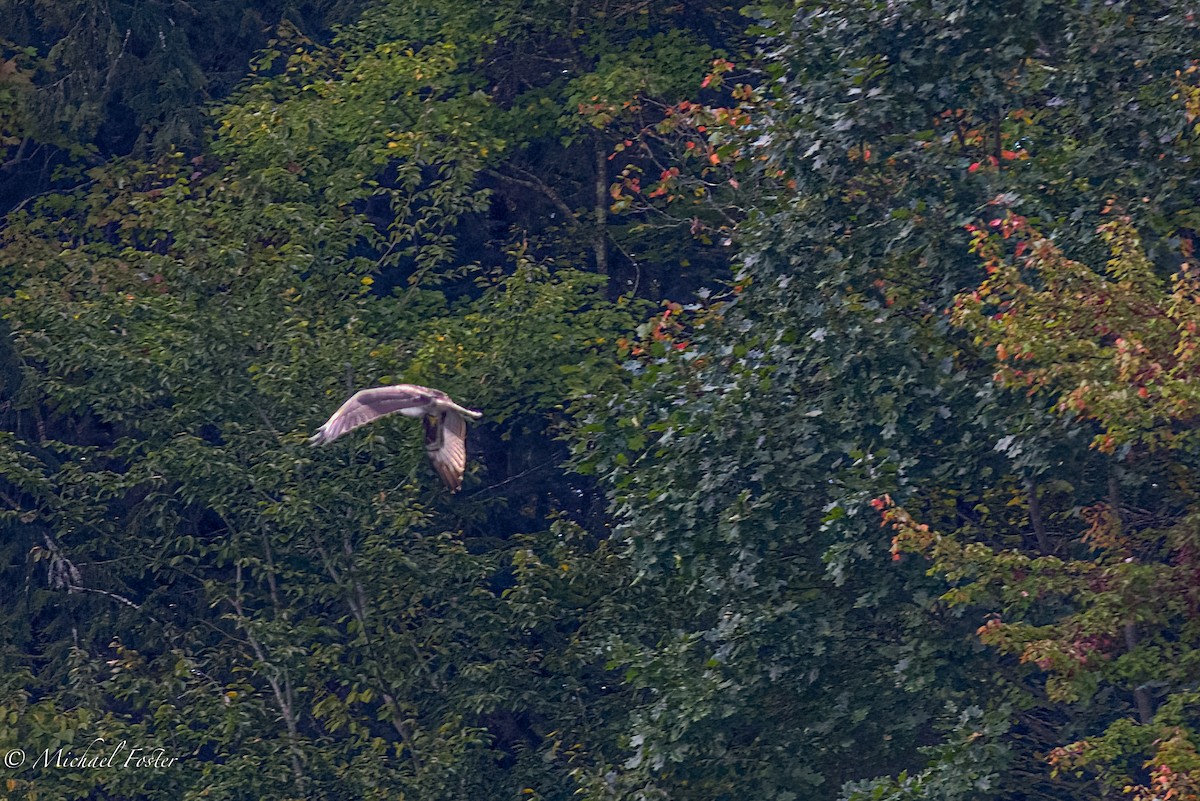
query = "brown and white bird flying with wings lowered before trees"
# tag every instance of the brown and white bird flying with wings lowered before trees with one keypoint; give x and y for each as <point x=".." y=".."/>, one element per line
<point x="446" y="424"/>
